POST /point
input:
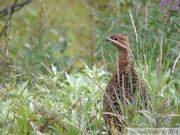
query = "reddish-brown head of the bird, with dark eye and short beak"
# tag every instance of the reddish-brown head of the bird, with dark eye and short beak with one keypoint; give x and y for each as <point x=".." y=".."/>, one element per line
<point x="120" y="41"/>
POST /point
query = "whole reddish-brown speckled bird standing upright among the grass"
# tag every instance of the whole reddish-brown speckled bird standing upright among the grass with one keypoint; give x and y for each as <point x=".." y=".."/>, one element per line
<point x="124" y="83"/>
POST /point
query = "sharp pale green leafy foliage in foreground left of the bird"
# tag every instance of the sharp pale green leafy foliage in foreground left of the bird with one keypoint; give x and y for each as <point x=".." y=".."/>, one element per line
<point x="59" y="104"/>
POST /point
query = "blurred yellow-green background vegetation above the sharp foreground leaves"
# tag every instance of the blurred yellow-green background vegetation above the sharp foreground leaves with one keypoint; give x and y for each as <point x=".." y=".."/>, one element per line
<point x="70" y="34"/>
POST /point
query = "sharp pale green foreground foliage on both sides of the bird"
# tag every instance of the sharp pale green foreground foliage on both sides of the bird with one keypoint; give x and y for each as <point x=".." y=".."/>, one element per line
<point x="60" y="103"/>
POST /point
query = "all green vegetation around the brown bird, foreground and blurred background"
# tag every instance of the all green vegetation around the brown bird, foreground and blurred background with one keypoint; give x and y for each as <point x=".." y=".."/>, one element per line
<point x="55" y="63"/>
